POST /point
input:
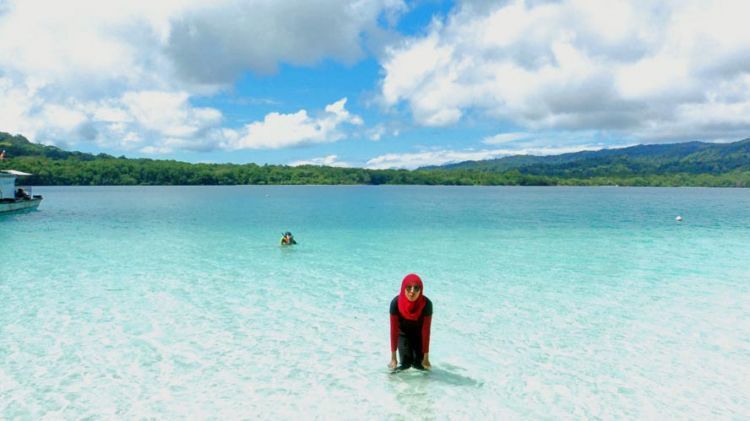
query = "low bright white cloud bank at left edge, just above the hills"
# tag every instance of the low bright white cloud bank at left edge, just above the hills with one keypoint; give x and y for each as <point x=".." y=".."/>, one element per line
<point x="133" y="121"/>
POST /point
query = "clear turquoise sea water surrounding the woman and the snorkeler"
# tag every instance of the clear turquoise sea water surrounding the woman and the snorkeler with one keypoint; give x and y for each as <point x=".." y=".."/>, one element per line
<point x="168" y="302"/>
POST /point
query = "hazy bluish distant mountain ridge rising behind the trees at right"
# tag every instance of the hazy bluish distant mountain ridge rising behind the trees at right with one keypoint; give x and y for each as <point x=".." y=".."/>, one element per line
<point x="690" y="158"/>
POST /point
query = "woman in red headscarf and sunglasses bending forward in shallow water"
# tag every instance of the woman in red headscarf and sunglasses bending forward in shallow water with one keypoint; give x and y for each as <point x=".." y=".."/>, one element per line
<point x="411" y="316"/>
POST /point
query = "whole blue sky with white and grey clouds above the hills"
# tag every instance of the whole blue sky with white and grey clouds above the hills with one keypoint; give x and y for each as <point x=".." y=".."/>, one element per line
<point x="371" y="83"/>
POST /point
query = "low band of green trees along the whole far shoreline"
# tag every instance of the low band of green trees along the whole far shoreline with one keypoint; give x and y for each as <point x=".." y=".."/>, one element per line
<point x="121" y="171"/>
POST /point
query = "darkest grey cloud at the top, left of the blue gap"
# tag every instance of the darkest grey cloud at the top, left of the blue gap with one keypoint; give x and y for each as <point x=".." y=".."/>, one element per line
<point x="259" y="34"/>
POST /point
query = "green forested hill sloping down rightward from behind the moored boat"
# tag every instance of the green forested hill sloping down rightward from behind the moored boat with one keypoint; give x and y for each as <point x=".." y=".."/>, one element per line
<point x="53" y="166"/>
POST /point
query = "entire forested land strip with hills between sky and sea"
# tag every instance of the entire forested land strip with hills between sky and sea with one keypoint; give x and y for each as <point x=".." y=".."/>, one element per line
<point x="683" y="164"/>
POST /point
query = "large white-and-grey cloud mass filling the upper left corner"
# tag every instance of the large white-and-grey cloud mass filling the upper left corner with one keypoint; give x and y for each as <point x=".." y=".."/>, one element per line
<point x="97" y="44"/>
